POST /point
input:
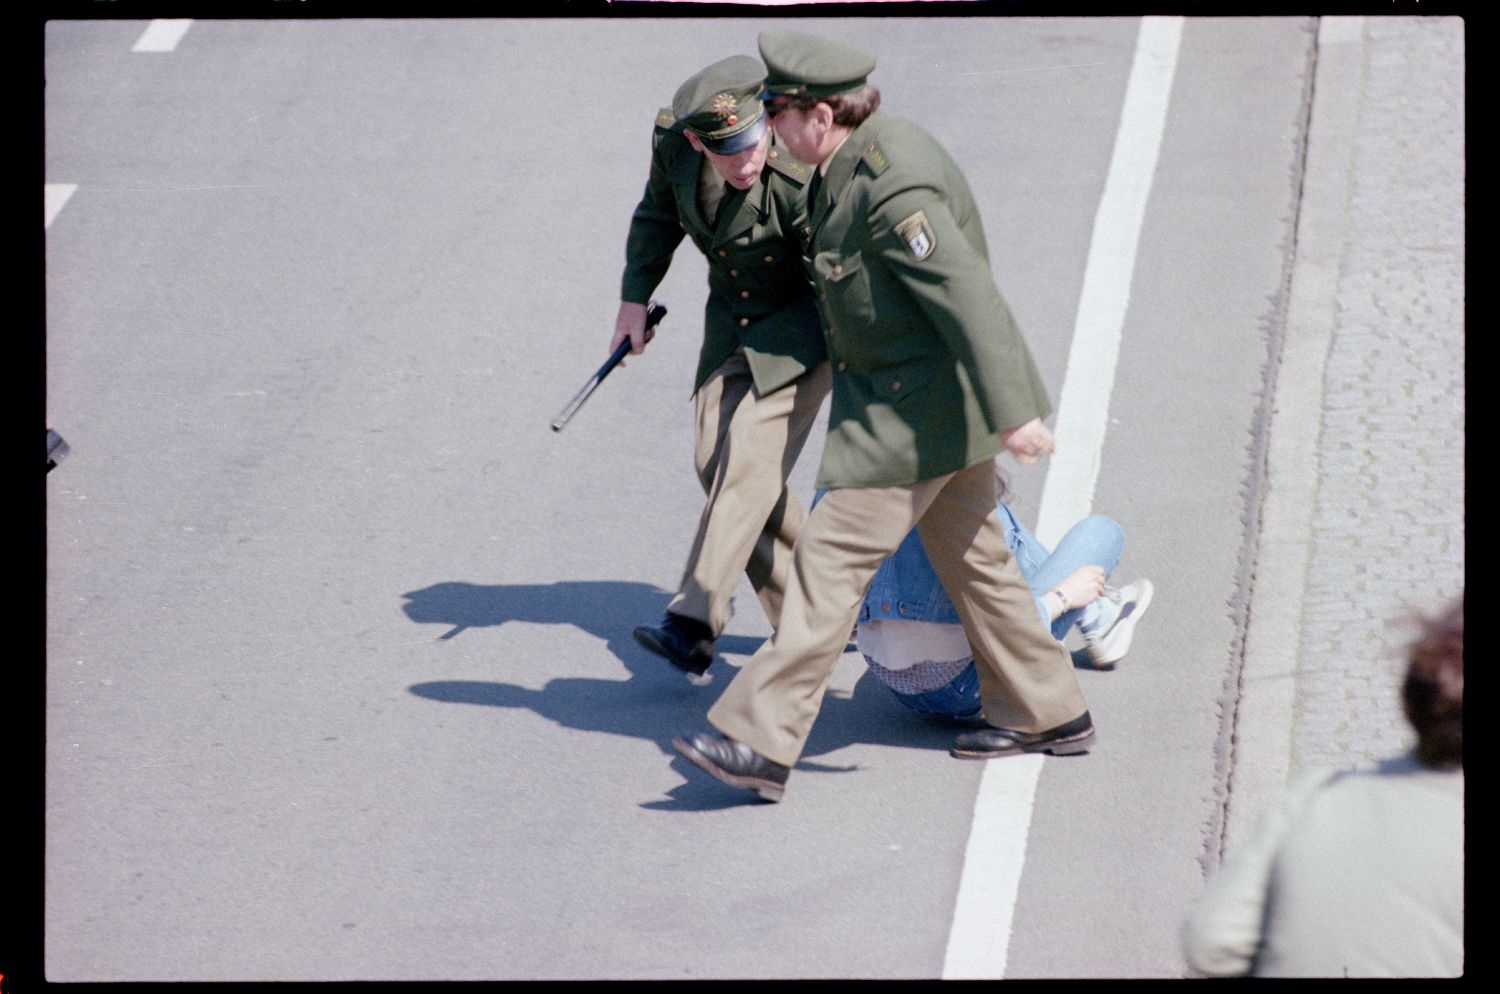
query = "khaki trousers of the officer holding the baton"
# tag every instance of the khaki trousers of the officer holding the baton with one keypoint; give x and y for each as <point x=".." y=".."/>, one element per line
<point x="745" y="449"/>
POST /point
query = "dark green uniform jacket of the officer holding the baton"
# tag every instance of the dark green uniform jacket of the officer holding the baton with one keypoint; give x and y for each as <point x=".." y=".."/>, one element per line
<point x="758" y="292"/>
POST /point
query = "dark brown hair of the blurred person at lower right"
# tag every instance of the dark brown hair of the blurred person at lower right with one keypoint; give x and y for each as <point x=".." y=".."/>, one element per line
<point x="1433" y="695"/>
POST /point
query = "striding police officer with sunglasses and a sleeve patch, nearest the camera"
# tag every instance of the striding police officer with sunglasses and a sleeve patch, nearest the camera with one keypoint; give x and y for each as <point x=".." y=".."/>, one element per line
<point x="932" y="380"/>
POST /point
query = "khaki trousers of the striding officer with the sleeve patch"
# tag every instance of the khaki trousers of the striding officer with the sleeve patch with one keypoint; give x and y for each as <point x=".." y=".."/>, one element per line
<point x="1027" y="680"/>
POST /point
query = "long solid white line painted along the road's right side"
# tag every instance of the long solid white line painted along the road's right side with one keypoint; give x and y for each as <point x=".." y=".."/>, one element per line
<point x="980" y="938"/>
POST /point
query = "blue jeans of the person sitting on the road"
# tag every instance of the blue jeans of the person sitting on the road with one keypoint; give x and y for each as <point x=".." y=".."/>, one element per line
<point x="1097" y="540"/>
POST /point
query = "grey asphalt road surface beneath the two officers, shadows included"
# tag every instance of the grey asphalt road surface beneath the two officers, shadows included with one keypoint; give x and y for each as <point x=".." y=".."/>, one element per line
<point x="341" y="681"/>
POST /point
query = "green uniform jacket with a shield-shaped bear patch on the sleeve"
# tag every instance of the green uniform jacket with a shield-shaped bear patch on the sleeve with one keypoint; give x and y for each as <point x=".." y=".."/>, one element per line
<point x="929" y="365"/>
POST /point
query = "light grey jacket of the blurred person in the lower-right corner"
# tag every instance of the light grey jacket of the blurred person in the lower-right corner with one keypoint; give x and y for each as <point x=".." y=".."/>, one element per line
<point x="1354" y="875"/>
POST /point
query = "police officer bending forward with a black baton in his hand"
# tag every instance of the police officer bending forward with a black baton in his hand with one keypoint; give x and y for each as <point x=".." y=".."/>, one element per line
<point x="721" y="178"/>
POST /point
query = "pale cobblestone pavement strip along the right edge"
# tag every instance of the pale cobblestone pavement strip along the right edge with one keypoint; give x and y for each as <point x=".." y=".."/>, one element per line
<point x="1388" y="530"/>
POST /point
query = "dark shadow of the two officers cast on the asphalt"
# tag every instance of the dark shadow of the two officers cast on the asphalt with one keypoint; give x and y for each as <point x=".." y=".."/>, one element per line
<point x="656" y="702"/>
